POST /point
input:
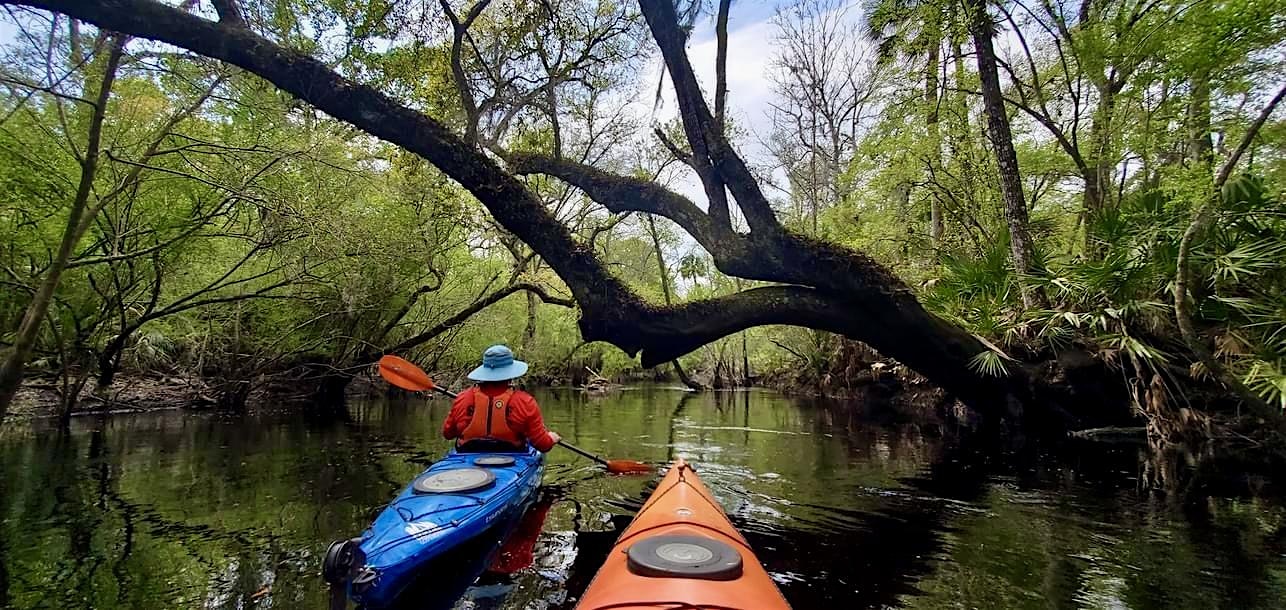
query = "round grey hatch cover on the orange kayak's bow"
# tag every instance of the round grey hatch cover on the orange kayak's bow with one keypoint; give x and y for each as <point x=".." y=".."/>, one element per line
<point x="685" y="557"/>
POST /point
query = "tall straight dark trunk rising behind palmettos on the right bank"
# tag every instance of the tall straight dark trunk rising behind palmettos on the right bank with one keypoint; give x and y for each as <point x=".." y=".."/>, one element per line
<point x="1002" y="143"/>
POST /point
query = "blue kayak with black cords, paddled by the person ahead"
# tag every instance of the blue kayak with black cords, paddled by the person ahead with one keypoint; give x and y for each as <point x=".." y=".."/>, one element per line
<point x="455" y="501"/>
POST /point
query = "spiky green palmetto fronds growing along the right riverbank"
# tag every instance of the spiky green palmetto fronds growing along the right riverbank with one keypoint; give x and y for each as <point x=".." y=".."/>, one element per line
<point x="1121" y="302"/>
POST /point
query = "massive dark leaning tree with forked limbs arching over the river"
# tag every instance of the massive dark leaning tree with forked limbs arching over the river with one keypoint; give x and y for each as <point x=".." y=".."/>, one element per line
<point x="815" y="284"/>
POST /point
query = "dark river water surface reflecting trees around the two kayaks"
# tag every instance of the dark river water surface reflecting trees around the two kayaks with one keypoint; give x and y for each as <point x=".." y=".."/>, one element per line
<point x="182" y="510"/>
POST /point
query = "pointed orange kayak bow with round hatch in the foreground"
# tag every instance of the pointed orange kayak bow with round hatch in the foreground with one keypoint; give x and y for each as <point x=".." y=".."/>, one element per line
<point x="681" y="551"/>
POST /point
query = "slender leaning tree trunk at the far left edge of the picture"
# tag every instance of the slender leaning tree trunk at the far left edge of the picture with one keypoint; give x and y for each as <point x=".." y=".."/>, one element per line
<point x="16" y="358"/>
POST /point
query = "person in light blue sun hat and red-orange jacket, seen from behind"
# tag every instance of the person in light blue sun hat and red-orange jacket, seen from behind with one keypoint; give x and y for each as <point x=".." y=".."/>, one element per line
<point x="493" y="416"/>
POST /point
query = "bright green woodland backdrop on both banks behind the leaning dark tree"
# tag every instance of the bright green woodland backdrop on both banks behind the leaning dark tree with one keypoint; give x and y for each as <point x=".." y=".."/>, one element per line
<point x="266" y="239"/>
